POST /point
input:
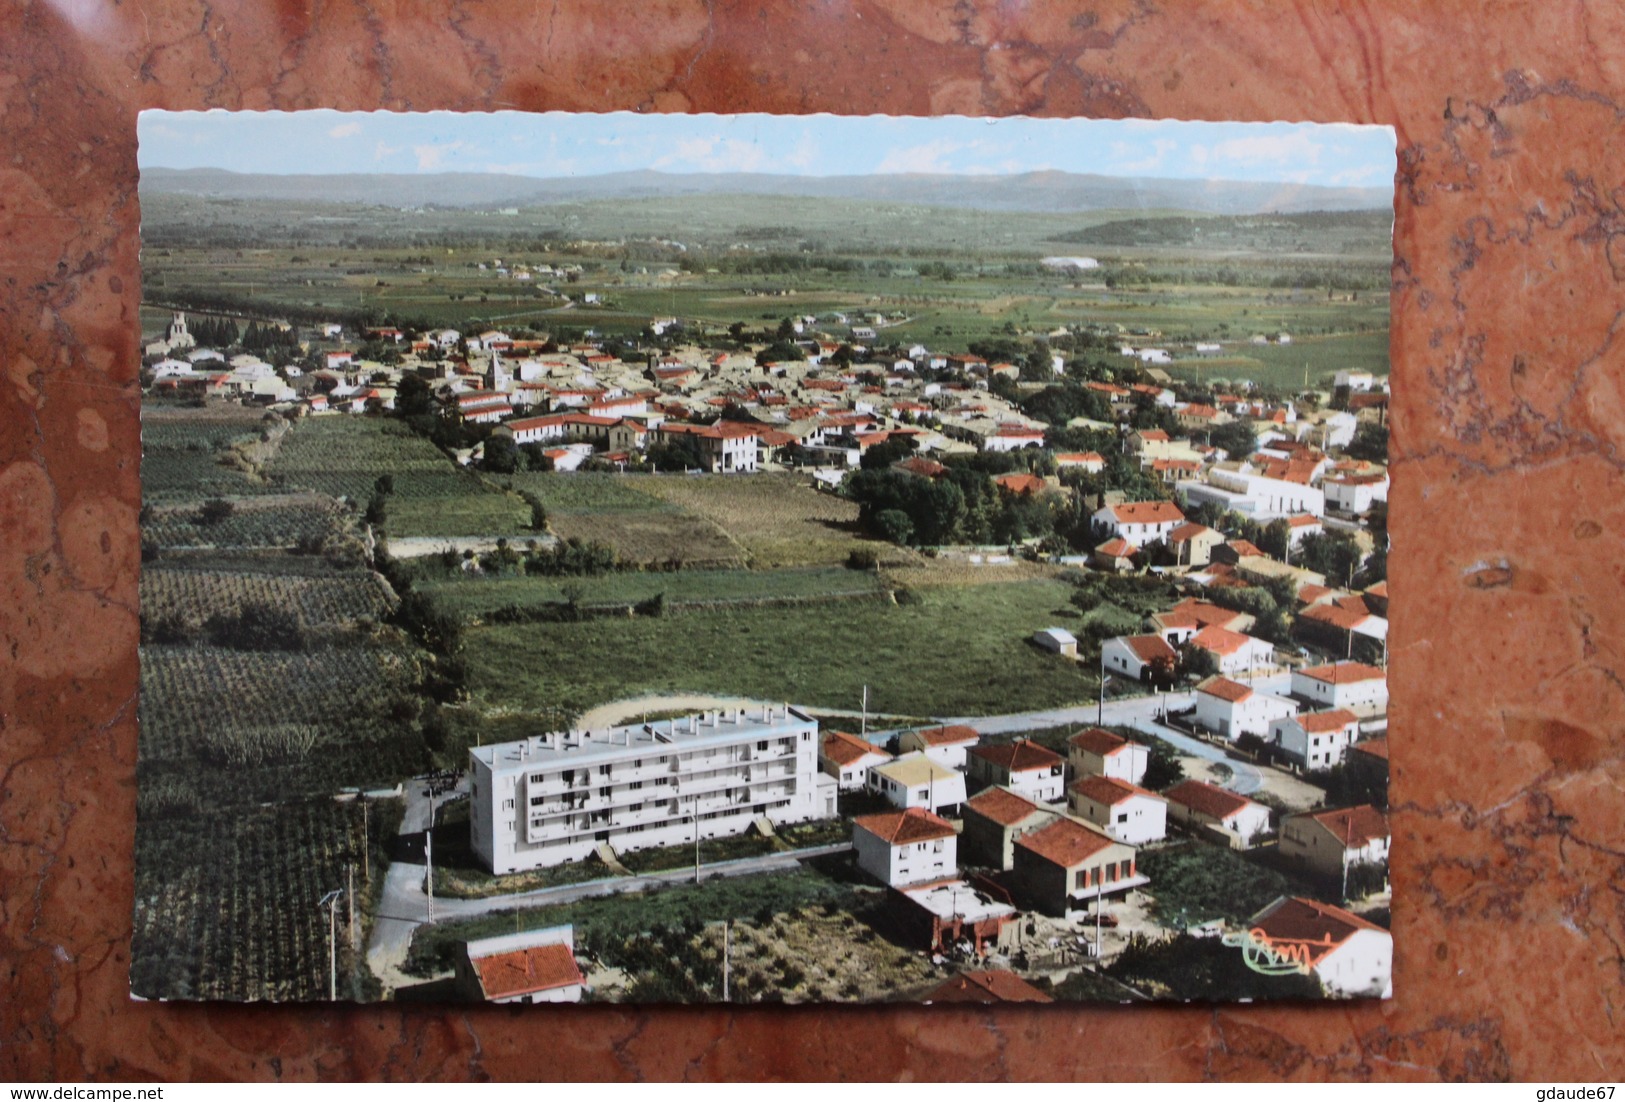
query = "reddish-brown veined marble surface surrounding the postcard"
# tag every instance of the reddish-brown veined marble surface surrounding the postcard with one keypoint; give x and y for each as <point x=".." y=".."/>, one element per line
<point x="1509" y="516"/>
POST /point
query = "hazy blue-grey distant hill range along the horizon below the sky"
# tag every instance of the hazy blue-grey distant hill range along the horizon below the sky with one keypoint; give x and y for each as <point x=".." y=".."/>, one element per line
<point x="1034" y="193"/>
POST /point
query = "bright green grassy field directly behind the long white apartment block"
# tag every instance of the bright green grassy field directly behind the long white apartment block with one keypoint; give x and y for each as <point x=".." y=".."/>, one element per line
<point x="938" y="653"/>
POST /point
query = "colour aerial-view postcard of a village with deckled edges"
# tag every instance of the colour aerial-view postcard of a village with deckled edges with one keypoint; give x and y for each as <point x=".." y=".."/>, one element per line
<point x="763" y="560"/>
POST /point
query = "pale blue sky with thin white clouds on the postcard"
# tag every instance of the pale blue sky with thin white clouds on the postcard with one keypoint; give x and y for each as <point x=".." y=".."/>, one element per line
<point x="570" y="145"/>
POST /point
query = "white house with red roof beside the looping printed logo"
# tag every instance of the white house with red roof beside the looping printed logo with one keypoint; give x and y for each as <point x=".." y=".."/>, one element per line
<point x="1351" y="957"/>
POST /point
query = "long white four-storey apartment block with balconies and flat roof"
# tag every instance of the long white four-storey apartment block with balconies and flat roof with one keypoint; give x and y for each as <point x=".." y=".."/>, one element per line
<point x="557" y="797"/>
